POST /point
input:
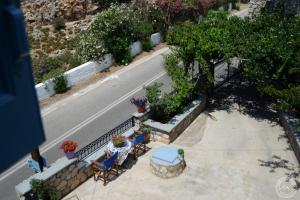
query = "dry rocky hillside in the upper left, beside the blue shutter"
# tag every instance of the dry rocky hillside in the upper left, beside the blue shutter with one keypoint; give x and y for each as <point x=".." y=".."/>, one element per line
<point x="52" y="26"/>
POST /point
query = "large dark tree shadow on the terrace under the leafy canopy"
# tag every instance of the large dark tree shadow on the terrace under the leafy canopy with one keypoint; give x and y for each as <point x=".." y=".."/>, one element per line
<point x="241" y="94"/>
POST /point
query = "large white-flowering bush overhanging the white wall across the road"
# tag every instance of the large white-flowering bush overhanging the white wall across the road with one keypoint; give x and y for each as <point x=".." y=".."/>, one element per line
<point x="111" y="34"/>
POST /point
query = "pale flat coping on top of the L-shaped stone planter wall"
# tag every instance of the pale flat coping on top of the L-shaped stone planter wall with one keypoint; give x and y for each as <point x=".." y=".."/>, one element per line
<point x="177" y="119"/>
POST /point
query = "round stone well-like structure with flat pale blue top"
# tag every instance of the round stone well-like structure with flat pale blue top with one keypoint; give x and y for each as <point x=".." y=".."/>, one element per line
<point x="165" y="162"/>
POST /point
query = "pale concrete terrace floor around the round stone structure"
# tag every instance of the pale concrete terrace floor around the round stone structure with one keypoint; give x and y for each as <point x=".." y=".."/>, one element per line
<point x="235" y="150"/>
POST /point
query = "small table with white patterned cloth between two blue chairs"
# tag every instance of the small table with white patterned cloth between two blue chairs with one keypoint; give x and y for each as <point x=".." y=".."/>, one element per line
<point x="122" y="151"/>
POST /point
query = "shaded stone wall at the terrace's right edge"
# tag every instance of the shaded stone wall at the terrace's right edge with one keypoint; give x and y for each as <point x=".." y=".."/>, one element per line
<point x="291" y="126"/>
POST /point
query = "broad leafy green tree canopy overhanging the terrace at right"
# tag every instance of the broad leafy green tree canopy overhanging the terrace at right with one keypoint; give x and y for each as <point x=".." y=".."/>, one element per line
<point x="269" y="47"/>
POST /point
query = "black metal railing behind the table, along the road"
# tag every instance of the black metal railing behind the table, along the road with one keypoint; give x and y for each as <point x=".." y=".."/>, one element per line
<point x="104" y="139"/>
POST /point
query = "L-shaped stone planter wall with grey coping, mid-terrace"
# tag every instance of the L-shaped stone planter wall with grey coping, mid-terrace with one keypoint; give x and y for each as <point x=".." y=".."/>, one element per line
<point x="169" y="131"/>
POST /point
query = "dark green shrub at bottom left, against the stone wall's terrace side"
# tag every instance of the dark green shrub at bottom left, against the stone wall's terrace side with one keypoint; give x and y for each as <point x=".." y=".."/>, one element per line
<point x="42" y="190"/>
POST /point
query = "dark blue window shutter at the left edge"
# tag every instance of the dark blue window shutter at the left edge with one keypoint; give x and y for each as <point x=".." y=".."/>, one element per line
<point x="21" y="128"/>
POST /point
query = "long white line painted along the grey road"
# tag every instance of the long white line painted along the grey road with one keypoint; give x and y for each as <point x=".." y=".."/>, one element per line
<point x="70" y="132"/>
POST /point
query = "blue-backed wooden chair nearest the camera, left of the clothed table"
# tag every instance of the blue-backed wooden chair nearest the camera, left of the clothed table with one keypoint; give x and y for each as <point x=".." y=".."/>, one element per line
<point x="107" y="167"/>
